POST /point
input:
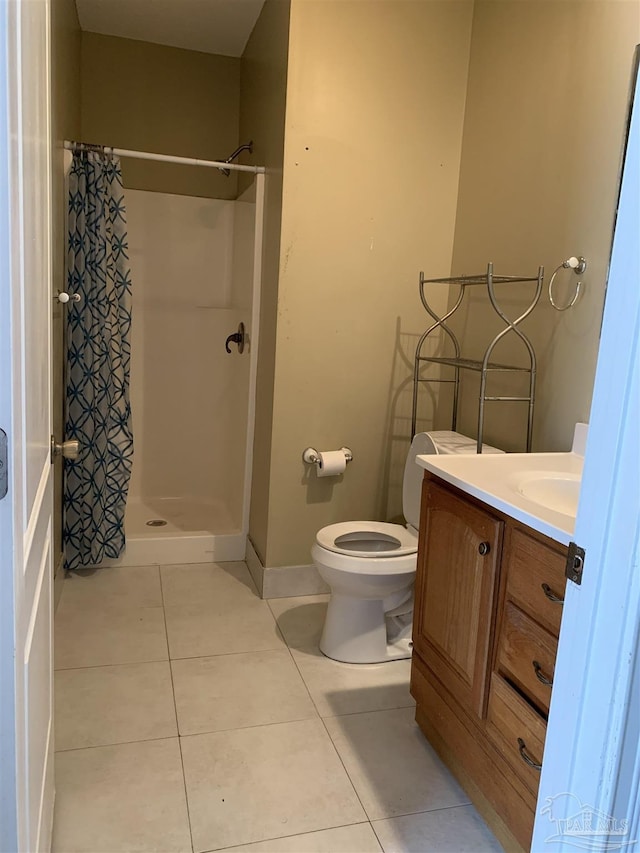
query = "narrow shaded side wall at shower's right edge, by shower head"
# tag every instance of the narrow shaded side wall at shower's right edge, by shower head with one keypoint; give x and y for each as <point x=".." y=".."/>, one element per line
<point x="262" y="109"/>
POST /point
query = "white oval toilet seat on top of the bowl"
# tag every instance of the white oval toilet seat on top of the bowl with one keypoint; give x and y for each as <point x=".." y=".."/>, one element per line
<point x="368" y="539"/>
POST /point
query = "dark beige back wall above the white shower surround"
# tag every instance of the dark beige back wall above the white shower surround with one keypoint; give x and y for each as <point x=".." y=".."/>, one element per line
<point x="149" y="97"/>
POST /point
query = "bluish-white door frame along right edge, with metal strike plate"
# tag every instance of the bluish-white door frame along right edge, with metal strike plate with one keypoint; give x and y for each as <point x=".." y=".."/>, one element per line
<point x="589" y="790"/>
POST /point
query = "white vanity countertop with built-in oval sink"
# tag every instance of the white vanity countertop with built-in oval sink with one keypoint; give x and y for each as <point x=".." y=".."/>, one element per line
<point x="514" y="483"/>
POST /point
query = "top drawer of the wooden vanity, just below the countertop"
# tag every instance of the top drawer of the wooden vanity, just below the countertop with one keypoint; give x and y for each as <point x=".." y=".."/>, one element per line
<point x="533" y="567"/>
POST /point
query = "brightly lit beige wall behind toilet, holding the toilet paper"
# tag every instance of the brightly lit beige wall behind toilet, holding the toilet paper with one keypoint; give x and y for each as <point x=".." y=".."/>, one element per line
<point x="375" y="107"/>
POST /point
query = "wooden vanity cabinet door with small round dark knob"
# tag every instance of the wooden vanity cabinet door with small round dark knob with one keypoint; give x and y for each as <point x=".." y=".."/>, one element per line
<point x="455" y="593"/>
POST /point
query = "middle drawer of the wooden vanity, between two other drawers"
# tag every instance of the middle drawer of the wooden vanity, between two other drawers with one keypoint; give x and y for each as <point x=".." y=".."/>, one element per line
<point x="526" y="655"/>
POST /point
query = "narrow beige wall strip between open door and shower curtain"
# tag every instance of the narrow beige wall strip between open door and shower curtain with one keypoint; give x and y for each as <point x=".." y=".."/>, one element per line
<point x="65" y="116"/>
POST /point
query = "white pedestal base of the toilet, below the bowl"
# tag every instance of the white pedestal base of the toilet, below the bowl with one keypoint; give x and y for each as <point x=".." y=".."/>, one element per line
<point x="356" y="631"/>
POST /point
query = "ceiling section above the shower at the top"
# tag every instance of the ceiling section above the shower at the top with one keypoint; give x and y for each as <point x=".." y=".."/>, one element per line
<point x="211" y="26"/>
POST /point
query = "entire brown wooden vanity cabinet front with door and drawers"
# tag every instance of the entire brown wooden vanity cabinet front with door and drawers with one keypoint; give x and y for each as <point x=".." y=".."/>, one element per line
<point x="488" y="605"/>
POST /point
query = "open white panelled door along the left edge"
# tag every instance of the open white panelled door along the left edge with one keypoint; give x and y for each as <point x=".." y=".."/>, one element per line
<point x="26" y="737"/>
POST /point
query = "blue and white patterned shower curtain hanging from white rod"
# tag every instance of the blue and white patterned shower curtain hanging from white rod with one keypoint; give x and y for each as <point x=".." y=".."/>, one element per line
<point x="98" y="412"/>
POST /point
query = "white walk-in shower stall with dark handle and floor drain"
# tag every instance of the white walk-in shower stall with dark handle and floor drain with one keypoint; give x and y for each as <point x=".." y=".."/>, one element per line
<point x="195" y="272"/>
